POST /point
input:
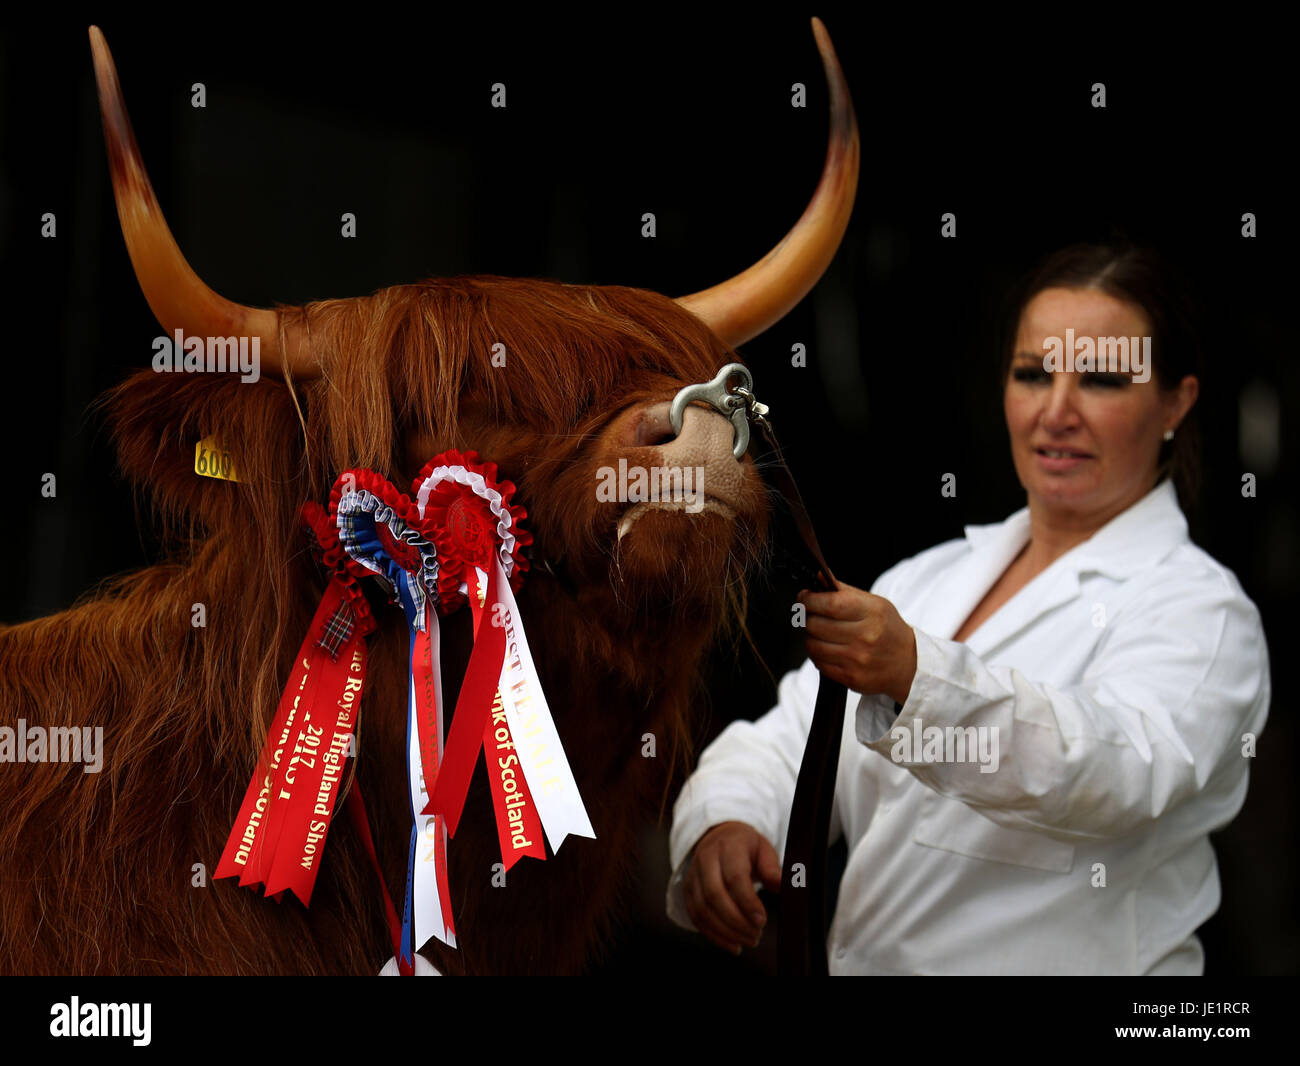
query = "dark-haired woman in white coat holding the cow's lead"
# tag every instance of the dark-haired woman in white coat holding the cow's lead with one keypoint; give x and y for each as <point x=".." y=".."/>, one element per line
<point x="1078" y="687"/>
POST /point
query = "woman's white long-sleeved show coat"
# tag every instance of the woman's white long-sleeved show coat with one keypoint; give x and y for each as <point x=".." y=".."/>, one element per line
<point x="1125" y="684"/>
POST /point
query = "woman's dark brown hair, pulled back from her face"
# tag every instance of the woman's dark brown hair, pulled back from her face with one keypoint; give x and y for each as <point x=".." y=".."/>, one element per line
<point x="1142" y="278"/>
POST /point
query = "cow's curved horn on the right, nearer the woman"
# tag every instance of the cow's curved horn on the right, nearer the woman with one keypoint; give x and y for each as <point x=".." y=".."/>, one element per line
<point x="744" y="306"/>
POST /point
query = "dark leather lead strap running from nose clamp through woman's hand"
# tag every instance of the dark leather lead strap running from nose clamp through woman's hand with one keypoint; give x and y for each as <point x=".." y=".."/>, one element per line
<point x="801" y="937"/>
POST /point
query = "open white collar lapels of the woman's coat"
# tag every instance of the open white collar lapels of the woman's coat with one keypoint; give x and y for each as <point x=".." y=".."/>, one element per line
<point x="1130" y="543"/>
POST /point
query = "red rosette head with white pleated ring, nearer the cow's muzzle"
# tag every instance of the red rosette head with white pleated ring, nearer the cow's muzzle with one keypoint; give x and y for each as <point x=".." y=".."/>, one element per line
<point x="469" y="515"/>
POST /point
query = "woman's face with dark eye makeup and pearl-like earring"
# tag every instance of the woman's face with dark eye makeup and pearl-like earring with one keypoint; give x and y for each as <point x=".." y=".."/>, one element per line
<point x="1086" y="444"/>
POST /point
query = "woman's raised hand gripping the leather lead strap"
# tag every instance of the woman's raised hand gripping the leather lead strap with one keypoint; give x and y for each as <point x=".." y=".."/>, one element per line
<point x="861" y="642"/>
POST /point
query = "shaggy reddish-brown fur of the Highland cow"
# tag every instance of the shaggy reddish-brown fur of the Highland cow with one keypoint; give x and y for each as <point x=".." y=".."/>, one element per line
<point x="96" y="870"/>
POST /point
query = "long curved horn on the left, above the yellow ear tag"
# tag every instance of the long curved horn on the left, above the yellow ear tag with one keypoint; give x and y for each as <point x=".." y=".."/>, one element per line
<point x="176" y="294"/>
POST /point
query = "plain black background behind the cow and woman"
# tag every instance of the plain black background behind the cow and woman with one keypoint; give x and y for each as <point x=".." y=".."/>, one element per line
<point x="684" y="114"/>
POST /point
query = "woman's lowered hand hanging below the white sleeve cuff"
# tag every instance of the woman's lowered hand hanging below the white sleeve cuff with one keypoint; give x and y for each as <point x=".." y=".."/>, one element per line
<point x="720" y="885"/>
